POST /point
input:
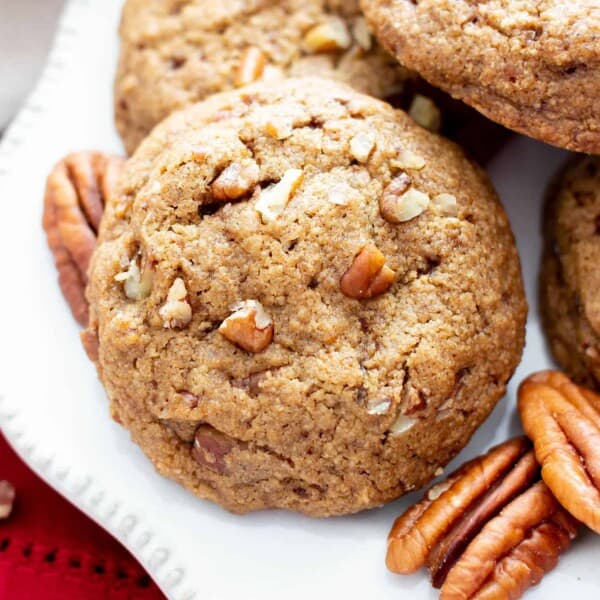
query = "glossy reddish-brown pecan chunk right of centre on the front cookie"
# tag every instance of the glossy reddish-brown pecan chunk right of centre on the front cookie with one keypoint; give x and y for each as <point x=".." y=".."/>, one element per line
<point x="368" y="275"/>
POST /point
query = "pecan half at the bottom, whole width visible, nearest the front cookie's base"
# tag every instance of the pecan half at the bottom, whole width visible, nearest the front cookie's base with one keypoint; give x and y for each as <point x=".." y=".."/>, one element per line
<point x="491" y="528"/>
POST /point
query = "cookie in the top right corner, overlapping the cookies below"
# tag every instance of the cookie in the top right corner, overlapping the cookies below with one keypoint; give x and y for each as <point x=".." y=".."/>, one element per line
<point x="531" y="65"/>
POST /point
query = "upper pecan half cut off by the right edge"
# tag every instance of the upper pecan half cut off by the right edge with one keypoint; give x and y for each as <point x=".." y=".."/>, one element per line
<point x="563" y="421"/>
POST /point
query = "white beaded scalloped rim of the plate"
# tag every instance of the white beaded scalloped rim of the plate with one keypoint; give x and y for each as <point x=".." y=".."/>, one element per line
<point x="75" y="485"/>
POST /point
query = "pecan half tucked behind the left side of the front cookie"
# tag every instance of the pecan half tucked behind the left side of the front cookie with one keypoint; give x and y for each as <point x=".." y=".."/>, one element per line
<point x="76" y="192"/>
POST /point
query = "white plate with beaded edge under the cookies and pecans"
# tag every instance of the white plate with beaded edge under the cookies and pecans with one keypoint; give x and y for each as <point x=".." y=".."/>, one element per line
<point x="54" y="412"/>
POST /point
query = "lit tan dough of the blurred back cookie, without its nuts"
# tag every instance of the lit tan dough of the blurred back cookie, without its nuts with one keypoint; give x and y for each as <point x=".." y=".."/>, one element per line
<point x="175" y="52"/>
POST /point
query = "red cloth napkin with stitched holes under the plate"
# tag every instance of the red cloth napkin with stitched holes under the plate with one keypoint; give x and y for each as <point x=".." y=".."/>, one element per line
<point x="49" y="550"/>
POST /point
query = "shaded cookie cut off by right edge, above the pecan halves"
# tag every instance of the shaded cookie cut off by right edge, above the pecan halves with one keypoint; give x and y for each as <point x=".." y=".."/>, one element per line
<point x="570" y="276"/>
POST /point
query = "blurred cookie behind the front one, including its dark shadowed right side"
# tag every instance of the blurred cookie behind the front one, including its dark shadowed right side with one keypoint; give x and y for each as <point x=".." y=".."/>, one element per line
<point x="175" y="53"/>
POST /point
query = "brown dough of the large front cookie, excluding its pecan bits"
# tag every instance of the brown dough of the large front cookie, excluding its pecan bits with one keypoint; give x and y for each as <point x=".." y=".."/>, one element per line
<point x="354" y="402"/>
